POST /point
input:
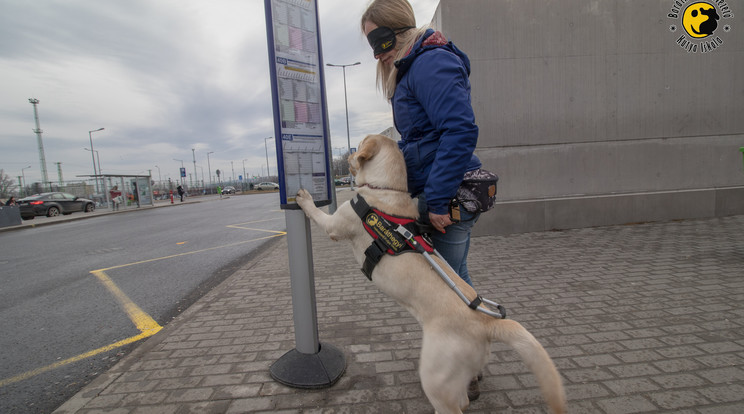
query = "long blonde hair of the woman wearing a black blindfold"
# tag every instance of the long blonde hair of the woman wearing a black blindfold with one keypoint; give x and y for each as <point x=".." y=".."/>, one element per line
<point x="393" y="14"/>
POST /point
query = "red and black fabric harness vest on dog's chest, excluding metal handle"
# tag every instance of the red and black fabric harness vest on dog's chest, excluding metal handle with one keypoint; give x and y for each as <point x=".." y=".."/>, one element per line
<point x="387" y="239"/>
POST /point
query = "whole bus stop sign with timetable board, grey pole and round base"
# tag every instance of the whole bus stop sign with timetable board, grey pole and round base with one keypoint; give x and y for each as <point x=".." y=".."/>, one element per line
<point x="303" y="160"/>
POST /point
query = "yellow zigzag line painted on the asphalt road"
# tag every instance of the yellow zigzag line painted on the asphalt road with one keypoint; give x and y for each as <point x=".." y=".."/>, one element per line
<point x="144" y="323"/>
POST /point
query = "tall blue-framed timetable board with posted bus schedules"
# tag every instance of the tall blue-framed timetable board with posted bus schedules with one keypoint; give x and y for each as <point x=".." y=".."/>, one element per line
<point x="299" y="100"/>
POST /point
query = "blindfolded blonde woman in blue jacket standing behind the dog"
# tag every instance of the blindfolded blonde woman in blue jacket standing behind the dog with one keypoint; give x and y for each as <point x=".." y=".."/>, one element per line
<point x="425" y="78"/>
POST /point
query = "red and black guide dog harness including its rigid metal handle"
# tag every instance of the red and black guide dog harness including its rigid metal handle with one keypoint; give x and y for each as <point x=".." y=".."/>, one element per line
<point x="383" y="231"/>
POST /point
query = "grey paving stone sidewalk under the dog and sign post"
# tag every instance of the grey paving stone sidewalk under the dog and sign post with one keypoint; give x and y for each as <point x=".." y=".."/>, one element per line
<point x="639" y="319"/>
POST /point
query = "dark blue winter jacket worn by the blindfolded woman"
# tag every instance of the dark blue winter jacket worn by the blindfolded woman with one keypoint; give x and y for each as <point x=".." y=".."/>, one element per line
<point x="432" y="112"/>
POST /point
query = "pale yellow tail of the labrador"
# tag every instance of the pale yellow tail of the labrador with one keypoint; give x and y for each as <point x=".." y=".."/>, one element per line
<point x="537" y="360"/>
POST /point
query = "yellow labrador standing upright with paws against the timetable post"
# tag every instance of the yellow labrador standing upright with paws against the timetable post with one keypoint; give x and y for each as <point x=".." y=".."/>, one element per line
<point x="456" y="339"/>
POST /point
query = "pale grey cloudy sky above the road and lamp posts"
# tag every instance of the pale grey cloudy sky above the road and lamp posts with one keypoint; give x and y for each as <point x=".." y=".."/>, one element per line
<point x="163" y="77"/>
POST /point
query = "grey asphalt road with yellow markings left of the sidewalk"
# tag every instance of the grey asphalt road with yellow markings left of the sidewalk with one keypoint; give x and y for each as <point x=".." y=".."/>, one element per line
<point x="76" y="296"/>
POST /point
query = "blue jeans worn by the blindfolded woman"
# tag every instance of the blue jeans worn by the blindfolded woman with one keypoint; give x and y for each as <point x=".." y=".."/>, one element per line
<point x="455" y="243"/>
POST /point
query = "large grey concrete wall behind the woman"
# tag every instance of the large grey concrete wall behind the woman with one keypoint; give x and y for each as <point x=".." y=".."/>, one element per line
<point x="592" y="114"/>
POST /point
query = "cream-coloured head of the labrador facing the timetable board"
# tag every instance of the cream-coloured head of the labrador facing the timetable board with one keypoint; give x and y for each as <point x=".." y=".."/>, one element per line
<point x="379" y="163"/>
